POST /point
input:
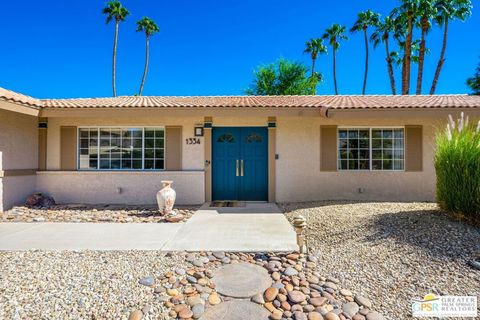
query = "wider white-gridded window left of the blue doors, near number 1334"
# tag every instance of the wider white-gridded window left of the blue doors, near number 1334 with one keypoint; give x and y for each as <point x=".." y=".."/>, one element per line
<point x="121" y="148"/>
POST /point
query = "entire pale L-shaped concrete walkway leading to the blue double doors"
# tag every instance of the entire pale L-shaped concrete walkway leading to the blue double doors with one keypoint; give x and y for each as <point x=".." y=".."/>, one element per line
<point x="255" y="227"/>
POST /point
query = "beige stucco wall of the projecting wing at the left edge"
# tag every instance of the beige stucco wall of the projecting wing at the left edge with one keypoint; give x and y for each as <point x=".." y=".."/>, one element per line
<point x="18" y="150"/>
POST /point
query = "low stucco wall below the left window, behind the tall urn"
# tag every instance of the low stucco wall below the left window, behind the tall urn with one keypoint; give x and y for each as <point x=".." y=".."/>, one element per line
<point x="136" y="187"/>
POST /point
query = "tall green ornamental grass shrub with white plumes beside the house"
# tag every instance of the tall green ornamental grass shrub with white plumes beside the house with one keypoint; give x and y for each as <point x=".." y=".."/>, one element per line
<point x="457" y="165"/>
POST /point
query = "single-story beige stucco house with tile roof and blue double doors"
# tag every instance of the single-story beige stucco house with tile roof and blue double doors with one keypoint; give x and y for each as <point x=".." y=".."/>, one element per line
<point x="252" y="148"/>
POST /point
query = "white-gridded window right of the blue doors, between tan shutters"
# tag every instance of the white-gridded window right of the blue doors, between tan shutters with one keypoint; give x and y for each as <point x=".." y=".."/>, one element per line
<point x="371" y="149"/>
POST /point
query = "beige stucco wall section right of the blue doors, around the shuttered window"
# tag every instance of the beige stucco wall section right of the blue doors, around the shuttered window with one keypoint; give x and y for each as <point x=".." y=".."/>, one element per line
<point x="298" y="168"/>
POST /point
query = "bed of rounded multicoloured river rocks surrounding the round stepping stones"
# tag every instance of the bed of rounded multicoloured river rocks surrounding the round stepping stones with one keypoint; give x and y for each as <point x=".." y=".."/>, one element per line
<point x="298" y="290"/>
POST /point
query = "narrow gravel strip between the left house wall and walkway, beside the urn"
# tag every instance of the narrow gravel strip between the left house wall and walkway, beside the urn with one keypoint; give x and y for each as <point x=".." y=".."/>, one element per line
<point x="91" y="213"/>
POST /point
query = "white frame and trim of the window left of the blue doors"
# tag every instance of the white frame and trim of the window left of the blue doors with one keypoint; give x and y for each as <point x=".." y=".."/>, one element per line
<point x="143" y="148"/>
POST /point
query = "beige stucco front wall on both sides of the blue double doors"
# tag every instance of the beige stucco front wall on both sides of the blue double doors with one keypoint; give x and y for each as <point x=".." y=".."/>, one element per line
<point x="298" y="175"/>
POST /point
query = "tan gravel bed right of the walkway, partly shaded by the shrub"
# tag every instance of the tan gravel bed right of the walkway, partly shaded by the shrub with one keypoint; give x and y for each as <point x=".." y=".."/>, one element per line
<point x="391" y="252"/>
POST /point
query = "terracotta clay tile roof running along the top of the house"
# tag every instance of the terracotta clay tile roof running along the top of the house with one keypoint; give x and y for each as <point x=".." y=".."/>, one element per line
<point x="323" y="102"/>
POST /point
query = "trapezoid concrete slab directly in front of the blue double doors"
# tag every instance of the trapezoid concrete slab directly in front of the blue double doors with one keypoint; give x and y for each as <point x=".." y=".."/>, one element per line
<point x="255" y="227"/>
